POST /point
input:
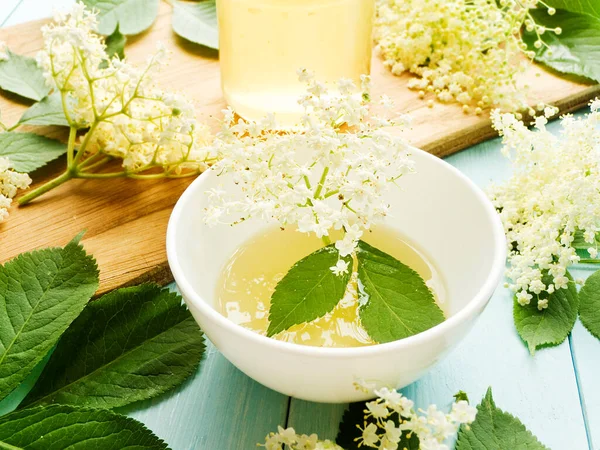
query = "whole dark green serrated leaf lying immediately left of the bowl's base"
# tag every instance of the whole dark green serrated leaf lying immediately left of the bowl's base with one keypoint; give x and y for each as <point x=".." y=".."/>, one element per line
<point x="130" y="345"/>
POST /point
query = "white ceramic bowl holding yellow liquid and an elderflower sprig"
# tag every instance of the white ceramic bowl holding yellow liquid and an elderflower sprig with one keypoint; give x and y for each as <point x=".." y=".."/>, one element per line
<point x="439" y="209"/>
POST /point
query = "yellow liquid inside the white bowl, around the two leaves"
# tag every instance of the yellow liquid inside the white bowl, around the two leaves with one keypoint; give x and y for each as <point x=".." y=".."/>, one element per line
<point x="249" y="278"/>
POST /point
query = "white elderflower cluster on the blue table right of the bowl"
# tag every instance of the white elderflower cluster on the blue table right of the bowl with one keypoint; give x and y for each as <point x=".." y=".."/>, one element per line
<point x="552" y="195"/>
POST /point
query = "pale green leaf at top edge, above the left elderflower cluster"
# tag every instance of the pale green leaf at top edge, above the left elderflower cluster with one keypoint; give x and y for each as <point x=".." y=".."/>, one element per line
<point x="130" y="16"/>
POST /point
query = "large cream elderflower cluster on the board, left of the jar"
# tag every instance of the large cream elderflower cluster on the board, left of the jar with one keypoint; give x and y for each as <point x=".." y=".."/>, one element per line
<point x="128" y="115"/>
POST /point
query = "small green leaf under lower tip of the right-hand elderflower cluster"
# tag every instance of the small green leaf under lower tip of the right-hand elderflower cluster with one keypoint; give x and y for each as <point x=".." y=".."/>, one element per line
<point x="550" y="326"/>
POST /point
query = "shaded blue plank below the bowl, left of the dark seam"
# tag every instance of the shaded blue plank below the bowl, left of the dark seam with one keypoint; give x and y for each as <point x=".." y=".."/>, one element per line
<point x="219" y="408"/>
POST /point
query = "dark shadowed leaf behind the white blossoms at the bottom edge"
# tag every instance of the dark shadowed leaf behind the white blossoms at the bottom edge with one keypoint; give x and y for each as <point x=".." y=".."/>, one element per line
<point x="349" y="434"/>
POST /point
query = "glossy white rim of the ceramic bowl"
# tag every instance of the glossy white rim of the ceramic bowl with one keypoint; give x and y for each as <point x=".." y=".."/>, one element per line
<point x="479" y="300"/>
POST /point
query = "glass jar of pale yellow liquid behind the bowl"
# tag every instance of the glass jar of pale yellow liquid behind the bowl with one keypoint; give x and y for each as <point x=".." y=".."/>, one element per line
<point x="262" y="43"/>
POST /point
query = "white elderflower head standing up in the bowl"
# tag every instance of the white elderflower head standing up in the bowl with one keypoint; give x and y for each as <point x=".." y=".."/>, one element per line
<point x="332" y="173"/>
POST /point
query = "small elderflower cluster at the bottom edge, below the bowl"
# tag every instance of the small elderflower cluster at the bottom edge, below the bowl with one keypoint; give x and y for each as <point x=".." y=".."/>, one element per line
<point x="386" y="420"/>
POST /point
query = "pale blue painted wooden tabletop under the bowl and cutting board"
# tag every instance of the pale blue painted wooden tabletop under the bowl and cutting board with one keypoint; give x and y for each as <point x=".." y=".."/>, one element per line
<point x="555" y="393"/>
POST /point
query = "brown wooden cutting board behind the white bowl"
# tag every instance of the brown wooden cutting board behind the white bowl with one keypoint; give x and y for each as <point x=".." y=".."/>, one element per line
<point x="126" y="219"/>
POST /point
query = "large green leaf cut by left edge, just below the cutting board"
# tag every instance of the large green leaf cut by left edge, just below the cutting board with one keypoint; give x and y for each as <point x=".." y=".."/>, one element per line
<point x="41" y="293"/>
